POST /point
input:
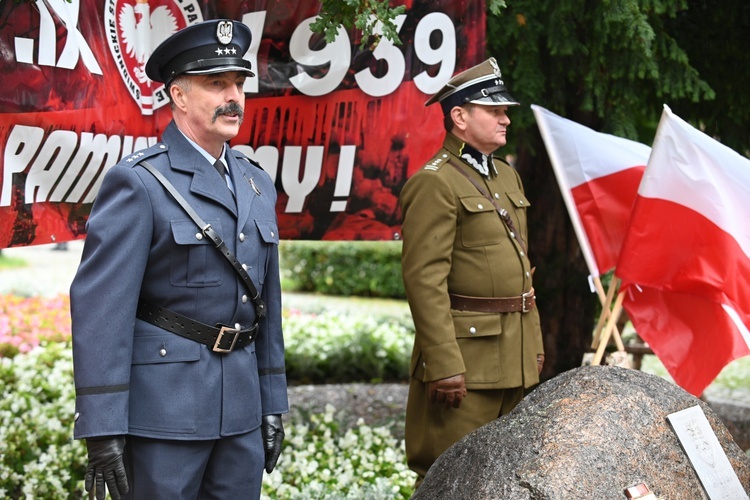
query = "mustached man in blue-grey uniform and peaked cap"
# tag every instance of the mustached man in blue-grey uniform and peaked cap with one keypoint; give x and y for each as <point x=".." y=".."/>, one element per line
<point x="179" y="368"/>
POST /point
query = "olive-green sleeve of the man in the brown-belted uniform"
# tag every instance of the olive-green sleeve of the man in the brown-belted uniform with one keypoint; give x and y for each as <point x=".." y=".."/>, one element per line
<point x="429" y="228"/>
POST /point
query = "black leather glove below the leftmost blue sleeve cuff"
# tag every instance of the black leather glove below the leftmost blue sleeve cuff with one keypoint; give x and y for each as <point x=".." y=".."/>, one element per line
<point x="106" y="467"/>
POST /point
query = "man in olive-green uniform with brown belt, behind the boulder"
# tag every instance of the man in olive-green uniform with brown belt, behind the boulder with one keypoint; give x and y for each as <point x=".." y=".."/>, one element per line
<point x="467" y="274"/>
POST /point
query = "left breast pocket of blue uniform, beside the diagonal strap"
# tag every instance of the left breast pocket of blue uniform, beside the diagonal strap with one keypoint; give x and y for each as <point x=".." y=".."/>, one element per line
<point x="193" y="262"/>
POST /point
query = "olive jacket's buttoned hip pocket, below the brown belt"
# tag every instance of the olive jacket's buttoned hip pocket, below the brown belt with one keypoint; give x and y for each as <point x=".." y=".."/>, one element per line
<point x="478" y="337"/>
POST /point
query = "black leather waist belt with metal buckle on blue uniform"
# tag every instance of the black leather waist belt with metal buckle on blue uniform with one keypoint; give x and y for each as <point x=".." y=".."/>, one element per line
<point x="219" y="338"/>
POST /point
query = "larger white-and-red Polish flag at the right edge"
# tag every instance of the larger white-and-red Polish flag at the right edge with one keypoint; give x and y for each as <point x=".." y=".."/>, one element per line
<point x="685" y="262"/>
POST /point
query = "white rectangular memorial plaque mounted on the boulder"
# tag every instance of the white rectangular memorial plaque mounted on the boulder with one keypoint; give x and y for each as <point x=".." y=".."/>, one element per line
<point x="706" y="454"/>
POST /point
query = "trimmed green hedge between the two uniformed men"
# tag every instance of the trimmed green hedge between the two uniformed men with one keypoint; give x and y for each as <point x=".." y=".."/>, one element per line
<point x="347" y="268"/>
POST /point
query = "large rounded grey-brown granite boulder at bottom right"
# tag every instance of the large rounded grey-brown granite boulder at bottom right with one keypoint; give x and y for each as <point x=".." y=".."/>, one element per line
<point x="590" y="432"/>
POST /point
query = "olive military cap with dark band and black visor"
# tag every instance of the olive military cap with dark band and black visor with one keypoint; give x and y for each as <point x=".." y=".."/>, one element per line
<point x="481" y="84"/>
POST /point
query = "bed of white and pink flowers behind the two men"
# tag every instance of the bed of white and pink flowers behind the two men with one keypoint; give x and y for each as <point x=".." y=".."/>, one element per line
<point x="320" y="459"/>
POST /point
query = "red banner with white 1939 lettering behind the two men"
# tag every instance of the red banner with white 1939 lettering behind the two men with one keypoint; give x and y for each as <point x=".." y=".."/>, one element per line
<point x="339" y="127"/>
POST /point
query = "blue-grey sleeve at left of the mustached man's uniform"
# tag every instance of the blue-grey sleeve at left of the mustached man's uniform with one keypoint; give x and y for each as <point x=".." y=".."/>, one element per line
<point x="103" y="298"/>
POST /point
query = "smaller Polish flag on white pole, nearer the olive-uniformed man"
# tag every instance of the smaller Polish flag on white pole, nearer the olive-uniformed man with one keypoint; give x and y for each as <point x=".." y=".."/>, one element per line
<point x="598" y="176"/>
